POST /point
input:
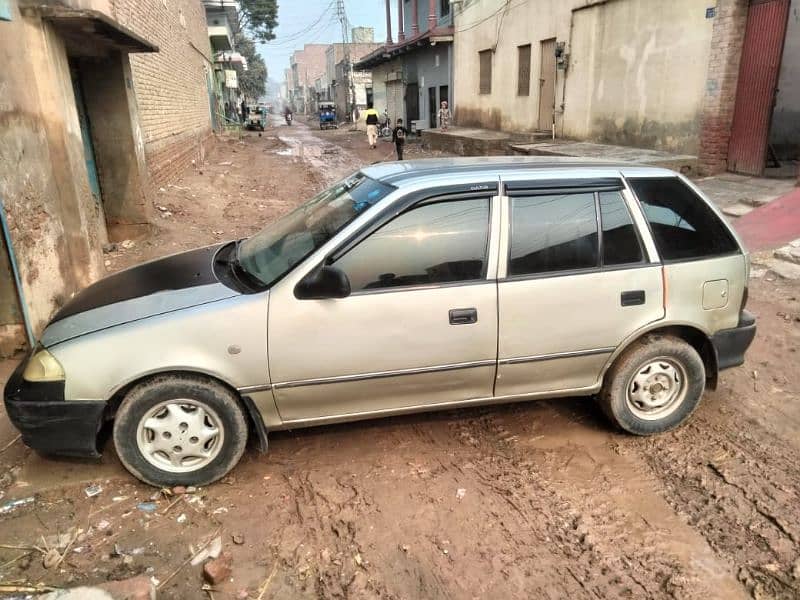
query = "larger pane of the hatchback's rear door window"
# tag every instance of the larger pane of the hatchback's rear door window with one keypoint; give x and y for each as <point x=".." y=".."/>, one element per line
<point x="553" y="233"/>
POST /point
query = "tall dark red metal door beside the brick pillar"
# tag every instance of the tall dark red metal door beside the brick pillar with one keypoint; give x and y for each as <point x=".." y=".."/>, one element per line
<point x="758" y="80"/>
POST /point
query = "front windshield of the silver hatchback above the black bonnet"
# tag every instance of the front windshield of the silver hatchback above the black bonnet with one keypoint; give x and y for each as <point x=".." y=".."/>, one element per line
<point x="271" y="253"/>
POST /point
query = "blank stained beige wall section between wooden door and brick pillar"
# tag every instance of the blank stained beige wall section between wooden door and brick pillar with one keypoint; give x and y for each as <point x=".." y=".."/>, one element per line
<point x="637" y="73"/>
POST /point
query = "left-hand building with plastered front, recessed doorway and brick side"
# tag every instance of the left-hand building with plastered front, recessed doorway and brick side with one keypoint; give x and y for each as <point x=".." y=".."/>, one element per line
<point x="100" y="101"/>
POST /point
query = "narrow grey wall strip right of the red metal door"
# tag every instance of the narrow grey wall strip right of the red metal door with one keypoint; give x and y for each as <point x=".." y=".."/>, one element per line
<point x="785" y="133"/>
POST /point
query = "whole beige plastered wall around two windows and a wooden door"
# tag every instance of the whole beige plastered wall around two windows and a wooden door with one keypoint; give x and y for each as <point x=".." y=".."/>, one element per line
<point x="636" y="73"/>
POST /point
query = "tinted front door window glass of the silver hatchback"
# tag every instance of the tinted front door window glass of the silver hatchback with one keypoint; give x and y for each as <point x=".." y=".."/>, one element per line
<point x="435" y="243"/>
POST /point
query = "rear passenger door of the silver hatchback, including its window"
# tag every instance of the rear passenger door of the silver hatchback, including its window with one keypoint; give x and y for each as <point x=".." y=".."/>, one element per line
<point x="574" y="281"/>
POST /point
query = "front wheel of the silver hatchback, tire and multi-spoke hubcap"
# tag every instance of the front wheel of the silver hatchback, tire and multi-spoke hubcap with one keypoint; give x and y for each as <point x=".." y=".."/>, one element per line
<point x="180" y="430"/>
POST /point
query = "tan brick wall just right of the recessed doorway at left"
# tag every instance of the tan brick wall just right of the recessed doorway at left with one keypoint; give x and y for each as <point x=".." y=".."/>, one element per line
<point x="170" y="85"/>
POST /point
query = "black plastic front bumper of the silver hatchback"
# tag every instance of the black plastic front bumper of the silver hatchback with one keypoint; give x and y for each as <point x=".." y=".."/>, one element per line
<point x="48" y="422"/>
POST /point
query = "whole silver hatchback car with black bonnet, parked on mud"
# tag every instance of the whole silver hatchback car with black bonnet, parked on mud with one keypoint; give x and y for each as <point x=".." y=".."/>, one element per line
<point x="407" y="287"/>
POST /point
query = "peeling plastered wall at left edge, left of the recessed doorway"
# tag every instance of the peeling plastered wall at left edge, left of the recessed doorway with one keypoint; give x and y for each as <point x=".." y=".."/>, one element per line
<point x="56" y="225"/>
